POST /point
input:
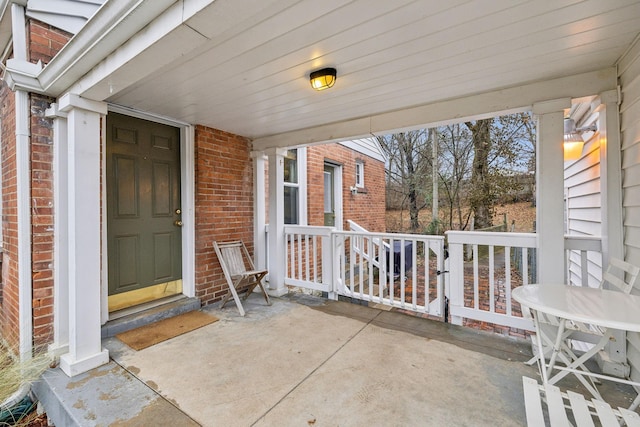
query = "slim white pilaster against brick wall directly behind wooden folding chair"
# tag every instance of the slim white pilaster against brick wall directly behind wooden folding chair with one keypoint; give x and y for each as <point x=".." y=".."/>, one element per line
<point x="259" y="220"/>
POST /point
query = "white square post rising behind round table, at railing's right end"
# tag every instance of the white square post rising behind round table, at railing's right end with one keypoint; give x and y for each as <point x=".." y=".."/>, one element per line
<point x="550" y="190"/>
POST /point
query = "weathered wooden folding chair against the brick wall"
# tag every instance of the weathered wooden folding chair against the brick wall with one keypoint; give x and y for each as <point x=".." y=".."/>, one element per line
<point x="234" y="259"/>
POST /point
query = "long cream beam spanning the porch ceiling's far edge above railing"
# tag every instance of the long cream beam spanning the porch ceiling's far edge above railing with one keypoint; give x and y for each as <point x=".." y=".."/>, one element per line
<point x="518" y="98"/>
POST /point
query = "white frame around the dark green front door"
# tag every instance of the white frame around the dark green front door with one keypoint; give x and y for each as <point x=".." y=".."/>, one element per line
<point x="187" y="195"/>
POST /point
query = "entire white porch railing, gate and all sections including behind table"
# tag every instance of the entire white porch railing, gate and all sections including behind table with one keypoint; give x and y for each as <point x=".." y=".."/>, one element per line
<point x="405" y="270"/>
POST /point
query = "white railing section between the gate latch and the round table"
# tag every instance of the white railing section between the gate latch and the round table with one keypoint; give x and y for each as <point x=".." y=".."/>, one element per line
<point x="485" y="295"/>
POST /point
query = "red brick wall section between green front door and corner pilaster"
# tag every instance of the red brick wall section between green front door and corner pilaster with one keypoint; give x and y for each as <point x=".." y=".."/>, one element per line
<point x="224" y="203"/>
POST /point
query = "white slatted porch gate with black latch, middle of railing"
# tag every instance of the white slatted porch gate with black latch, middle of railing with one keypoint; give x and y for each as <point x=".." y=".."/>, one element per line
<point x="397" y="270"/>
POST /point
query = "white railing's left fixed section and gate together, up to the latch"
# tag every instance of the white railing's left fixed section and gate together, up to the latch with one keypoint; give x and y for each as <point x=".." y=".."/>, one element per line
<point x="398" y="270"/>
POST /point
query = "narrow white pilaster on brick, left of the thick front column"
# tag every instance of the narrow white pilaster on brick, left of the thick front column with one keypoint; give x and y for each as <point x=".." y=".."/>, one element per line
<point x="60" y="343"/>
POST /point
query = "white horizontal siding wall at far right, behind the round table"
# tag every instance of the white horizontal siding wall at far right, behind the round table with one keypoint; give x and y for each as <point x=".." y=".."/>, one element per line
<point x="629" y="77"/>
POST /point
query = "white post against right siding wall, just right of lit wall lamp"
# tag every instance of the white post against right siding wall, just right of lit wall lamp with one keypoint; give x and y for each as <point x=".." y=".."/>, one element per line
<point x="614" y="360"/>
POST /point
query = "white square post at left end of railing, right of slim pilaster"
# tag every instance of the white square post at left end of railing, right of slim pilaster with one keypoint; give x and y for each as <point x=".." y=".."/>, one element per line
<point x="277" y="252"/>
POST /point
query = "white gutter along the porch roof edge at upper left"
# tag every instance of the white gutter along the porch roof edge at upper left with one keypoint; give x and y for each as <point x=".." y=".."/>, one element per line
<point x="115" y="22"/>
